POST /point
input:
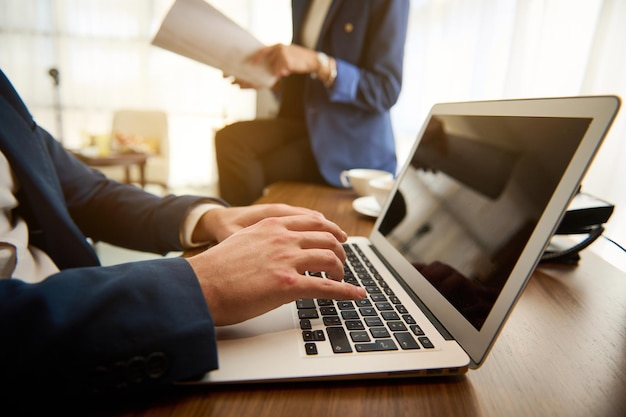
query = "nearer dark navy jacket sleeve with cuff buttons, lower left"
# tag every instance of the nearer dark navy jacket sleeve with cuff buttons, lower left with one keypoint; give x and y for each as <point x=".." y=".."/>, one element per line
<point x="99" y="329"/>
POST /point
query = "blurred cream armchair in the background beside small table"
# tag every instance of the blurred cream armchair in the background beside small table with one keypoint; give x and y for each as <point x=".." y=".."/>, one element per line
<point x="142" y="131"/>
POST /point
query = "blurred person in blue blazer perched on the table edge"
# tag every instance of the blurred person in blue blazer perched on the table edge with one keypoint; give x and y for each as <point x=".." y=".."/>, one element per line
<point x="336" y="92"/>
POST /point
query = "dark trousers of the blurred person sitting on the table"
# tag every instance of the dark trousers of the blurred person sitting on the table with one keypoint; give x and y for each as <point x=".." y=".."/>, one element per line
<point x="253" y="154"/>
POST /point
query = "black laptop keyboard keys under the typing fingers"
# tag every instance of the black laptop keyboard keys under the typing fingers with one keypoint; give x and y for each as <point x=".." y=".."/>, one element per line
<point x="377" y="323"/>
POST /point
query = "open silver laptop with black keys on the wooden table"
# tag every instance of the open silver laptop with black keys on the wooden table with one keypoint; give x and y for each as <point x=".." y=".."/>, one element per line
<point x="472" y="210"/>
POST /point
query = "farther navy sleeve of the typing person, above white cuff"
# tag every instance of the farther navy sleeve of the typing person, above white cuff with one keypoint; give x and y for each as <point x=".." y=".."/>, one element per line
<point x="117" y="213"/>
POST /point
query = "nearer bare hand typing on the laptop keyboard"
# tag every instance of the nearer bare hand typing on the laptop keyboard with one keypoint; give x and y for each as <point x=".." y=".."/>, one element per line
<point x="260" y="267"/>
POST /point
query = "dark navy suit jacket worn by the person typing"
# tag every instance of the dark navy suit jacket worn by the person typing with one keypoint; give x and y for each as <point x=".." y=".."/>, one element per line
<point x="90" y="327"/>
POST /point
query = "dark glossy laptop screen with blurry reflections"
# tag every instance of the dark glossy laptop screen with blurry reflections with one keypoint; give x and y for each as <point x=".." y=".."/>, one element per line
<point x="471" y="197"/>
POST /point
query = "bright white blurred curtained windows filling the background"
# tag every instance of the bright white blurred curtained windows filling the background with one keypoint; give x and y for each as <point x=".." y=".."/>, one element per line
<point x="76" y="62"/>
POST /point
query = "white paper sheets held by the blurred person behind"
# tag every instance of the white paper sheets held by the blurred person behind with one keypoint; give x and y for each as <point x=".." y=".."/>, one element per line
<point x="195" y="29"/>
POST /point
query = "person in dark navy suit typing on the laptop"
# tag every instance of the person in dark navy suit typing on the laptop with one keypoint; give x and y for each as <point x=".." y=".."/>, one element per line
<point x="88" y="328"/>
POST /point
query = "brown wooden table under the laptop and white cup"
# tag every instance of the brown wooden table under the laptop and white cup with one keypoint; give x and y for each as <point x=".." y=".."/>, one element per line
<point x="562" y="353"/>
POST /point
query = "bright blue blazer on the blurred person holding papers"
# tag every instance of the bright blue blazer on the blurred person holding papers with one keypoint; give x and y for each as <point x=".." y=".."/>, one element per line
<point x="350" y="124"/>
